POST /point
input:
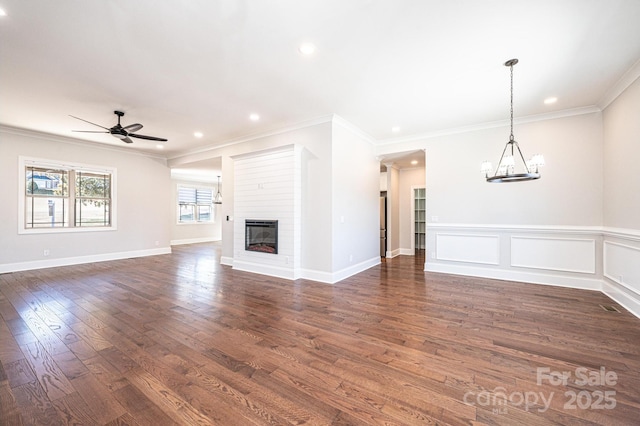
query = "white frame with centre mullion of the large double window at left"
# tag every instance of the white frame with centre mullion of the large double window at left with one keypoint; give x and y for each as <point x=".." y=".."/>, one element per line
<point x="26" y="162"/>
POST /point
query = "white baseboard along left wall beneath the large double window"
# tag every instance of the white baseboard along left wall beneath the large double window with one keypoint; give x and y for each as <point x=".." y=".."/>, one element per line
<point x="78" y="260"/>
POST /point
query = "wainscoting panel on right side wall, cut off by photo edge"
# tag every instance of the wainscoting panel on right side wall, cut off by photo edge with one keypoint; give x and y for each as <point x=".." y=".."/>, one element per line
<point x="622" y="265"/>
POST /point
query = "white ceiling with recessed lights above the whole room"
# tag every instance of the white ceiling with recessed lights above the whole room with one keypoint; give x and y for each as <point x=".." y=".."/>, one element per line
<point x="204" y="65"/>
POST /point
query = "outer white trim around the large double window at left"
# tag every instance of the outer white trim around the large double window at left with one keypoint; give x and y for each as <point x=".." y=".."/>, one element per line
<point x="24" y="162"/>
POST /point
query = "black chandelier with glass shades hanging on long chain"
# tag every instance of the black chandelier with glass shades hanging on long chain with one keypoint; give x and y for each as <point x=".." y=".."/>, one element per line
<point x="506" y="170"/>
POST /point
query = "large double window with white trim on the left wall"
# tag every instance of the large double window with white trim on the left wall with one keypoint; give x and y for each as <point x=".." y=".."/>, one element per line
<point x="62" y="197"/>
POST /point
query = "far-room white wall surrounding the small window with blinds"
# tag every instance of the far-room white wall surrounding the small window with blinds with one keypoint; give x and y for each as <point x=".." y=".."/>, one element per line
<point x="187" y="233"/>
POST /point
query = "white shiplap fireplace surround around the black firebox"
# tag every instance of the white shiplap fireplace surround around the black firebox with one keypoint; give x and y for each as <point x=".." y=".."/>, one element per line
<point x="268" y="187"/>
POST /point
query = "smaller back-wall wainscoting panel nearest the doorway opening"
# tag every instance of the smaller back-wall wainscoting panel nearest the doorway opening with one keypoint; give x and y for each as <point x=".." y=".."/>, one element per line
<point x="471" y="248"/>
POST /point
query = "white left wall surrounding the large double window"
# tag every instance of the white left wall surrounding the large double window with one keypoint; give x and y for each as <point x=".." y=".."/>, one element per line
<point x="143" y="219"/>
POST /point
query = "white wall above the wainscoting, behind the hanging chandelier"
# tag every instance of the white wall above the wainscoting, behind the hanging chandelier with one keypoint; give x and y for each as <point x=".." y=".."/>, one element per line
<point x="569" y="192"/>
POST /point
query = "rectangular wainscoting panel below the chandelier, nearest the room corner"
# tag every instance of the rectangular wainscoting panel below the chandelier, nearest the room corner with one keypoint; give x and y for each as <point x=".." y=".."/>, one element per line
<point x="554" y="254"/>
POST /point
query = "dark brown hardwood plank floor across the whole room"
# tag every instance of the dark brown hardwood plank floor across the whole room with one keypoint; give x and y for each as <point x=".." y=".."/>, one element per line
<point x="180" y="339"/>
